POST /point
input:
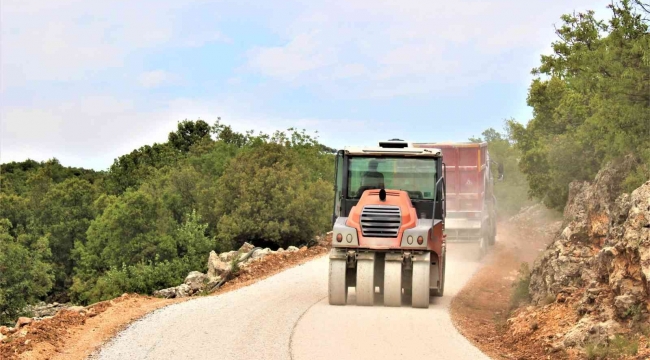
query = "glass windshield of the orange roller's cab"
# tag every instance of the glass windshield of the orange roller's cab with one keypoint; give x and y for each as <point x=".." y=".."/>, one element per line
<point x="417" y="176"/>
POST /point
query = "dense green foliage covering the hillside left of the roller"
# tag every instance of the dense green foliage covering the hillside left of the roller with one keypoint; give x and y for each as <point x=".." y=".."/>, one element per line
<point x="68" y="233"/>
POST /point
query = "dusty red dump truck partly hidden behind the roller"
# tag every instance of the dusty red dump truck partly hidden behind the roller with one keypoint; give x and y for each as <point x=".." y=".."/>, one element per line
<point x="470" y="202"/>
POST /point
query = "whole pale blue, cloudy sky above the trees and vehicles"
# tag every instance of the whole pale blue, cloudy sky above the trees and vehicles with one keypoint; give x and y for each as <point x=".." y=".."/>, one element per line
<point x="86" y="81"/>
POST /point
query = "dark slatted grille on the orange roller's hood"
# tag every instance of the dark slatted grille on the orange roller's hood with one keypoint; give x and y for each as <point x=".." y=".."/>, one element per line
<point x="381" y="221"/>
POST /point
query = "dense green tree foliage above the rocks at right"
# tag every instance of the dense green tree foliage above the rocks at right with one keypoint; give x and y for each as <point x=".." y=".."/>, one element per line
<point x="591" y="102"/>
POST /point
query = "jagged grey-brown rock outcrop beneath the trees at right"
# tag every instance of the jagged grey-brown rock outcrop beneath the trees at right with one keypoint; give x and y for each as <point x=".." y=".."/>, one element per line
<point x="601" y="257"/>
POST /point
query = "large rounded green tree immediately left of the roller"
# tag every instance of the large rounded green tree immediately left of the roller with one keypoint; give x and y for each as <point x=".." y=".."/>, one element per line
<point x="266" y="194"/>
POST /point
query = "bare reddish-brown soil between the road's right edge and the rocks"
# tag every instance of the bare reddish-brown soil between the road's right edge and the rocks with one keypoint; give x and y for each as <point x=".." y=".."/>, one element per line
<point x="484" y="313"/>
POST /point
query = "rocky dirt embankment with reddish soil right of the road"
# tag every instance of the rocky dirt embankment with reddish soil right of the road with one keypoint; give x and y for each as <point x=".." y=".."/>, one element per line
<point x="585" y="295"/>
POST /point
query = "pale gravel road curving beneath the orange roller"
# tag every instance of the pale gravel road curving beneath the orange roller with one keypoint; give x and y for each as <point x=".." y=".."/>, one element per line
<point x="287" y="316"/>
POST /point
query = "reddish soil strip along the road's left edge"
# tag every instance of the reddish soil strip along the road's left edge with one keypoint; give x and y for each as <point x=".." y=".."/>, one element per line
<point x="71" y="335"/>
